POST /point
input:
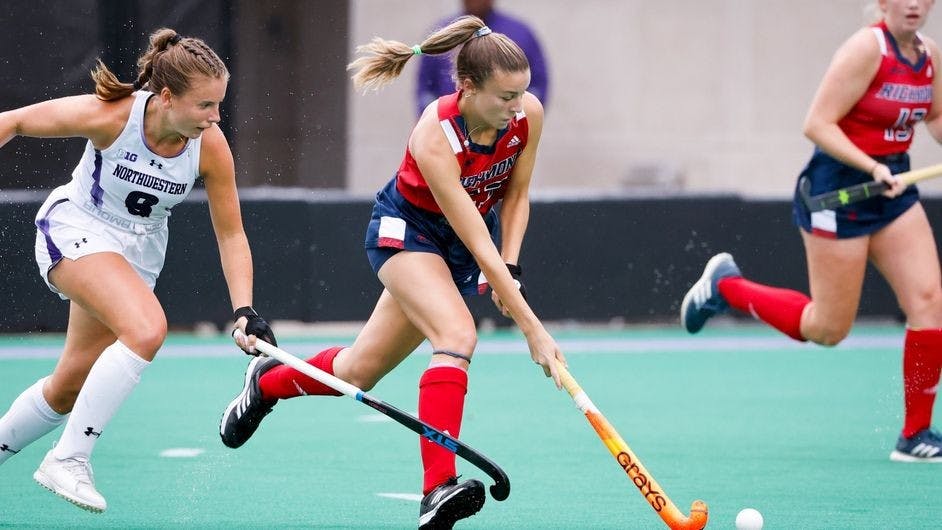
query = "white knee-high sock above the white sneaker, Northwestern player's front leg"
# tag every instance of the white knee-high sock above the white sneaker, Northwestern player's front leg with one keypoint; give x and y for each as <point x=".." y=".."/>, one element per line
<point x="110" y="381"/>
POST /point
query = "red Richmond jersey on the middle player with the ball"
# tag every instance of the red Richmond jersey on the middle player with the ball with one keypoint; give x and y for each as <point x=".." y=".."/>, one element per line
<point x="485" y="171"/>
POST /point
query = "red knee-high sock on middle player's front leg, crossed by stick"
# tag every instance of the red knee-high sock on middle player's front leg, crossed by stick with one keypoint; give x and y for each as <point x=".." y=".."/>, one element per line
<point x="441" y="404"/>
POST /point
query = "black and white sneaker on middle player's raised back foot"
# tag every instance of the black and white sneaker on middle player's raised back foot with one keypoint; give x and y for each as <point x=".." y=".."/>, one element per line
<point x="245" y="412"/>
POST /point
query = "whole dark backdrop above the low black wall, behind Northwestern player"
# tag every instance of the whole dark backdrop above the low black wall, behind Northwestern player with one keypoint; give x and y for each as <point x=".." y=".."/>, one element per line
<point x="285" y="118"/>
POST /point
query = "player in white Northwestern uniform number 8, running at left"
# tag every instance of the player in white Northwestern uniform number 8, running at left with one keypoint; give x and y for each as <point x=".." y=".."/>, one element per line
<point x="101" y="241"/>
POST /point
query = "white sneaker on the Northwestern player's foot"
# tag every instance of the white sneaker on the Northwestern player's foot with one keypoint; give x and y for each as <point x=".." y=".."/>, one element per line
<point x="71" y="479"/>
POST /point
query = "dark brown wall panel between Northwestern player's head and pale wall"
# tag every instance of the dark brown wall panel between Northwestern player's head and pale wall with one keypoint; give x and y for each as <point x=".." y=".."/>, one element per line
<point x="291" y="59"/>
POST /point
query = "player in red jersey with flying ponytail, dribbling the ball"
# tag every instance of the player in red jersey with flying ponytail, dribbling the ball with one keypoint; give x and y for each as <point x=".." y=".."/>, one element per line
<point x="432" y="234"/>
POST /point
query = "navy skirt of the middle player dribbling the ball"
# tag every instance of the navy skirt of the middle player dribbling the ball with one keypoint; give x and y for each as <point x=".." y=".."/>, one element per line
<point x="397" y="224"/>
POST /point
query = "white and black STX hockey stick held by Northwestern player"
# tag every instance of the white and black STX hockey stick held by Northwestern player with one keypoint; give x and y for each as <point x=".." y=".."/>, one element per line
<point x="501" y="487"/>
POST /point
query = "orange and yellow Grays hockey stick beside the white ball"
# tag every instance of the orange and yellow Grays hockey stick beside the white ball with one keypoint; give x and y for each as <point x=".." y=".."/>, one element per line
<point x="639" y="475"/>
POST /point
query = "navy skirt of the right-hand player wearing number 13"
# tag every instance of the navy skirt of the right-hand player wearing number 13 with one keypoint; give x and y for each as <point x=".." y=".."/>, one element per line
<point x="865" y="217"/>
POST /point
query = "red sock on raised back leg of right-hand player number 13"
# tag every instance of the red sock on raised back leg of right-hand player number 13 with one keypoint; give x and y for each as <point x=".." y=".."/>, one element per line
<point x="777" y="307"/>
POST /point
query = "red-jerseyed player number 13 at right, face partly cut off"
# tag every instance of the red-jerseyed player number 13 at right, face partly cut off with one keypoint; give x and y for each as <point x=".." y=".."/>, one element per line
<point x="880" y="83"/>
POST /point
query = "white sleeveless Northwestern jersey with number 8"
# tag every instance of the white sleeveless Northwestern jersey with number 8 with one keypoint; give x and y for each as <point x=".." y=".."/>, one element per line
<point x="129" y="183"/>
